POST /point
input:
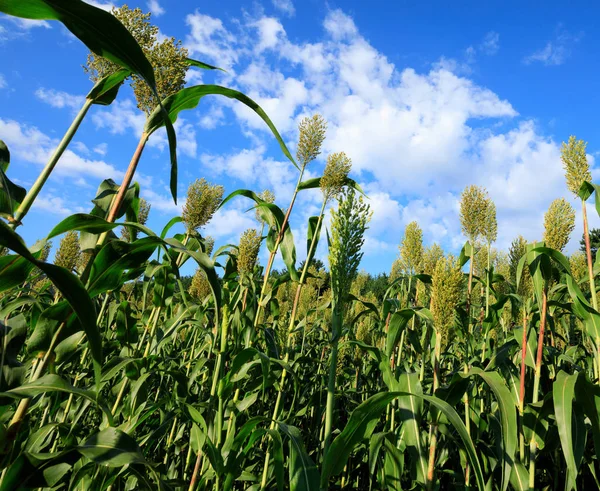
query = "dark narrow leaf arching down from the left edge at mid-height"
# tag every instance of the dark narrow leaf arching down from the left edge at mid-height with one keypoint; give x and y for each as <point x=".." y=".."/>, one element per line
<point x="69" y="286"/>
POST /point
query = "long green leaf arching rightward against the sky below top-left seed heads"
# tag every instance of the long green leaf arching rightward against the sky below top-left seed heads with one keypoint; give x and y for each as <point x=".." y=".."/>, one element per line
<point x="189" y="98"/>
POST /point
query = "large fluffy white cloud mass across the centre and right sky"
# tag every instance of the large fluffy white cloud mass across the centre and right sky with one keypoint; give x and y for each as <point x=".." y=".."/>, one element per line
<point x="416" y="137"/>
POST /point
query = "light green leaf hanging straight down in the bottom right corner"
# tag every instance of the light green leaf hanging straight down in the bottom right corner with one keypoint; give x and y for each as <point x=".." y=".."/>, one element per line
<point x="563" y="392"/>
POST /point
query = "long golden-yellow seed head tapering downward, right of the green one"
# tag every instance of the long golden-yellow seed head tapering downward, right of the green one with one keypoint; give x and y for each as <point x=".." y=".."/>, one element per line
<point x="446" y="288"/>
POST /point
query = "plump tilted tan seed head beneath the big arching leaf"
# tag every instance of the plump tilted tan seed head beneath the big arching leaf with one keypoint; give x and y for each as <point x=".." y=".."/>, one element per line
<point x="202" y="202"/>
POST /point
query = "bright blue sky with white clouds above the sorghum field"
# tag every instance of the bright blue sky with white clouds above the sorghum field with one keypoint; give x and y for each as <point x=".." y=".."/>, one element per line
<point x="425" y="98"/>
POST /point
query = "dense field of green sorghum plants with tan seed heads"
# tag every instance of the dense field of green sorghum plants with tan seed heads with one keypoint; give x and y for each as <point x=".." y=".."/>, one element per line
<point x="477" y="371"/>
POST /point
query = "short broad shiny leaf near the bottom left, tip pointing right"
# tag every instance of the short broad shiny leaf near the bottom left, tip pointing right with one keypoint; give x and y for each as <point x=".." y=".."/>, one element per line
<point x="112" y="448"/>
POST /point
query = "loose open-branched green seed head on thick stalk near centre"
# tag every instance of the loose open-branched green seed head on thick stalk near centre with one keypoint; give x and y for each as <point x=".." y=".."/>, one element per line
<point x="348" y="226"/>
